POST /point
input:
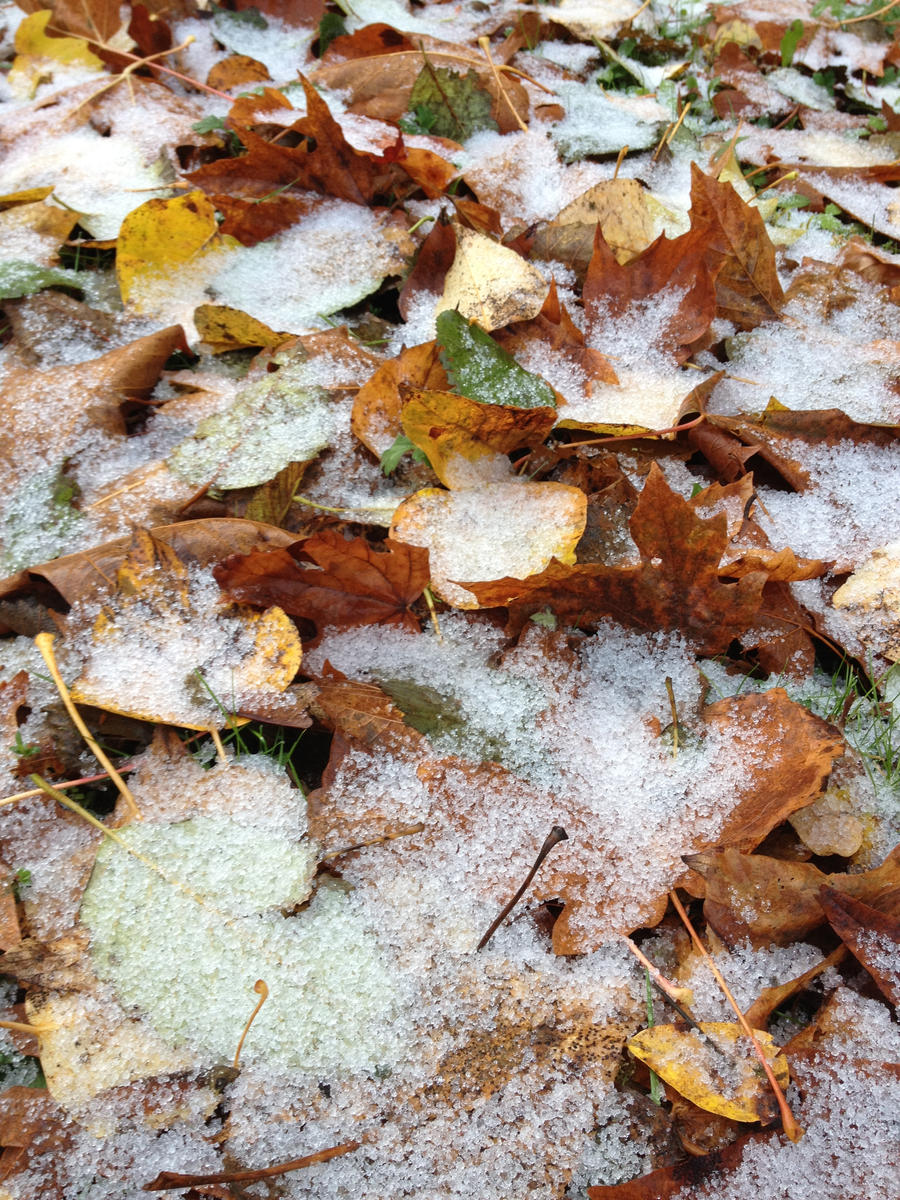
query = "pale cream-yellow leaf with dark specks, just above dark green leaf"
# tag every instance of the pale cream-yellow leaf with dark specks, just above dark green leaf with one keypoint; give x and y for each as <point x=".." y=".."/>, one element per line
<point x="491" y="284"/>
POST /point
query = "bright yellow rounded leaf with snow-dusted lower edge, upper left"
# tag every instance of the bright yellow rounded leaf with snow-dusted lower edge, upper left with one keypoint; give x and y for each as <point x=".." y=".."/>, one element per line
<point x="163" y="247"/>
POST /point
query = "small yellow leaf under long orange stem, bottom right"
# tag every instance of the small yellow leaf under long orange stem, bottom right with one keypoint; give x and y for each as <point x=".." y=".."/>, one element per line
<point x="716" y="1067"/>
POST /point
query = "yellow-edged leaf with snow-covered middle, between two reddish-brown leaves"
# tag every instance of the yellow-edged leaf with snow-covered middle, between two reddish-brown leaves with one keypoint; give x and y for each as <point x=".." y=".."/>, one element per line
<point x="511" y="529"/>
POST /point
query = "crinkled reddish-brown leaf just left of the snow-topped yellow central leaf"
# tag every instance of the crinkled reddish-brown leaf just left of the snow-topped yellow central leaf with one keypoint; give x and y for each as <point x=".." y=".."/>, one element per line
<point x="351" y="584"/>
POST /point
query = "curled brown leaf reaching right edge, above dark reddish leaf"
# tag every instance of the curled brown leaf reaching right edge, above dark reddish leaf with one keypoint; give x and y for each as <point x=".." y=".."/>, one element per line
<point x="772" y="901"/>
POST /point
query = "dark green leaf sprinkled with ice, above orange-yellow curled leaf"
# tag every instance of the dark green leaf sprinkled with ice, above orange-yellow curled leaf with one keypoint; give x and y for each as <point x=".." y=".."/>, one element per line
<point x="482" y="370"/>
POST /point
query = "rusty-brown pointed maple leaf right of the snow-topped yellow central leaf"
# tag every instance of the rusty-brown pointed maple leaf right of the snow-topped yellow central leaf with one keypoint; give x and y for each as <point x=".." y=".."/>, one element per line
<point x="675" y="587"/>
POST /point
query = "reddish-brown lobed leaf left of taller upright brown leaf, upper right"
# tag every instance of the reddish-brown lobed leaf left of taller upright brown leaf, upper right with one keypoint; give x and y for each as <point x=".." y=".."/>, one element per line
<point x="668" y="265"/>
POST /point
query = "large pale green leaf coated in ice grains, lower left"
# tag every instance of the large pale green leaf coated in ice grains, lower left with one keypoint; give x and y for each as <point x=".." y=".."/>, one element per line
<point x="331" y="995"/>
